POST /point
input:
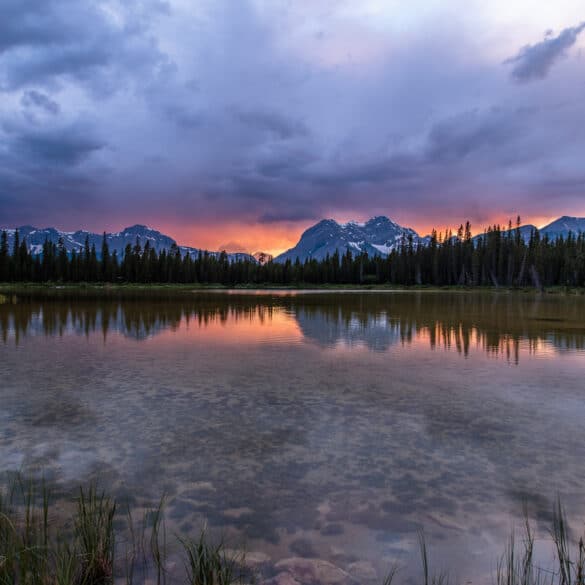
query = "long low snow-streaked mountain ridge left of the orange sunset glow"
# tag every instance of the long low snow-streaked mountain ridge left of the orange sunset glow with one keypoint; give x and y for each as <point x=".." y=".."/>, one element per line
<point x="35" y="238"/>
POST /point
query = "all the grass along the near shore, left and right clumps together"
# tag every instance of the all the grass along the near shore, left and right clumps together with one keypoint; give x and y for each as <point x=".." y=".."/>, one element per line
<point x="40" y="545"/>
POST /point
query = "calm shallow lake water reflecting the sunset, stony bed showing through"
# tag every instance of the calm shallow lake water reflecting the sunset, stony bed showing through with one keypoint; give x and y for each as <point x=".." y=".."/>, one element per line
<point x="318" y="424"/>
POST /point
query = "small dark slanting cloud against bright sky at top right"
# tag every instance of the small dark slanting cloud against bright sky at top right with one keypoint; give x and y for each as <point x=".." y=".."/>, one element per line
<point x="535" y="61"/>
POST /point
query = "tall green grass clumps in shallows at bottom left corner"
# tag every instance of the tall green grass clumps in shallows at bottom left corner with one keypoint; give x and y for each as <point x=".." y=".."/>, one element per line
<point x="85" y="549"/>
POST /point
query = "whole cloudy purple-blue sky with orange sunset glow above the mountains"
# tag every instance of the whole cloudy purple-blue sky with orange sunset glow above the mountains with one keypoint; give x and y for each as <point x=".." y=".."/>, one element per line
<point x="237" y="124"/>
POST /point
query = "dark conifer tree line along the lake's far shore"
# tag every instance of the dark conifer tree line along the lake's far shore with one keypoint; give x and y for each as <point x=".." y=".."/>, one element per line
<point x="498" y="257"/>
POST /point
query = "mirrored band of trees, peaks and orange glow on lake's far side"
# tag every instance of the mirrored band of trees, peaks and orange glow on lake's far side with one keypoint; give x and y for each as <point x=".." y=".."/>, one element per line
<point x="498" y="324"/>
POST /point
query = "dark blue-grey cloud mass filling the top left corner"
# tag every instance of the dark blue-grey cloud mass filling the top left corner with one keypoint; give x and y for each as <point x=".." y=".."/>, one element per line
<point x="46" y="43"/>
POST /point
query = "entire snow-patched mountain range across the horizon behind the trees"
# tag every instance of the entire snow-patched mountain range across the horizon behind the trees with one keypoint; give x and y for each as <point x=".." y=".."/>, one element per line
<point x="377" y="236"/>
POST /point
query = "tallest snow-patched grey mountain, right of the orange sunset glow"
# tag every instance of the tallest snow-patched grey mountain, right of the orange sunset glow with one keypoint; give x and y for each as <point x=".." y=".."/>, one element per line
<point x="377" y="236"/>
